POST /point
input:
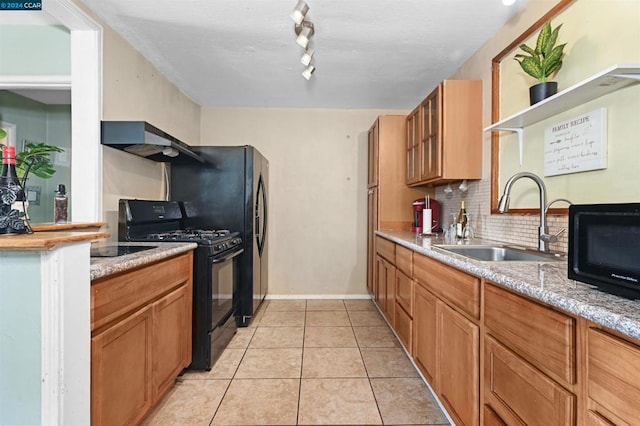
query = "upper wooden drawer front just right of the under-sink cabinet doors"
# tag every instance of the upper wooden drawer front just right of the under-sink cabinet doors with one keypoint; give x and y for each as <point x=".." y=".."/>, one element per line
<point x="542" y="336"/>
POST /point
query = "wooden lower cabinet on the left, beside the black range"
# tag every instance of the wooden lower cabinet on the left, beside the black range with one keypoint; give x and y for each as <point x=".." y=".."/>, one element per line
<point x="141" y="339"/>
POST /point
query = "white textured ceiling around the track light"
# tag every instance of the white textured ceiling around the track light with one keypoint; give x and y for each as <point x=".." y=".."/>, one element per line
<point x="368" y="53"/>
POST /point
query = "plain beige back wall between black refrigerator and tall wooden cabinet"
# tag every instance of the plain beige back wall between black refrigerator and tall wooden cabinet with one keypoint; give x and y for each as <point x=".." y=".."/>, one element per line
<point x="317" y="191"/>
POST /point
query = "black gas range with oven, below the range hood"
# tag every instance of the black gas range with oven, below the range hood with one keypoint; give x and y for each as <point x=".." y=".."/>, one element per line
<point x="215" y="270"/>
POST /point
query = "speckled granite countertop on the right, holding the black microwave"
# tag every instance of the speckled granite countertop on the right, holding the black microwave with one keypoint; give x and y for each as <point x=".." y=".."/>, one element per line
<point x="546" y="282"/>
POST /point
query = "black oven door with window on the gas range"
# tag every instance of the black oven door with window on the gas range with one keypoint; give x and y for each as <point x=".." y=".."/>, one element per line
<point x="224" y="279"/>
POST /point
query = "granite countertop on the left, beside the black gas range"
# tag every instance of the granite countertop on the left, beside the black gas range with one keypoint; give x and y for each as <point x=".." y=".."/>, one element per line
<point x="104" y="266"/>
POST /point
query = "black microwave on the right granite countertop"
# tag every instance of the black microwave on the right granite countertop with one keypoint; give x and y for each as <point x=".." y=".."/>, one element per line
<point x="604" y="247"/>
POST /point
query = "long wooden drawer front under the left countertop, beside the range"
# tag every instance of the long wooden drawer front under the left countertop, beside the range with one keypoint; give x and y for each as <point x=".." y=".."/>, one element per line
<point x="115" y="296"/>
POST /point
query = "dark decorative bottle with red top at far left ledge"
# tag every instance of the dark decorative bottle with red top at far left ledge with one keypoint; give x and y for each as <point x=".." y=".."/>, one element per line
<point x="12" y="197"/>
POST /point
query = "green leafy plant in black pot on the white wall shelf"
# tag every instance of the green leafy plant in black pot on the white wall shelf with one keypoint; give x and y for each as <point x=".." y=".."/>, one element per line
<point x="542" y="62"/>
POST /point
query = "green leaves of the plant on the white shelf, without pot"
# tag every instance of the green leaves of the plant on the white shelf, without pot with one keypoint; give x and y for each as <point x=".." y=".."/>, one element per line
<point x="546" y="58"/>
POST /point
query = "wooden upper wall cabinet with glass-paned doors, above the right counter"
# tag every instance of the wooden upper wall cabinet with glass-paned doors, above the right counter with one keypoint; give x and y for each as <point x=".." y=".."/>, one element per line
<point x="448" y="134"/>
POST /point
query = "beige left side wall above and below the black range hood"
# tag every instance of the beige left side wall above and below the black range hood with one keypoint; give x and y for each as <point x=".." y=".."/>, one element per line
<point x="133" y="89"/>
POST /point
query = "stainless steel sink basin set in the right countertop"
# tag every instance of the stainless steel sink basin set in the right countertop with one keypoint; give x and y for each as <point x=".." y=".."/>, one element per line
<point x="501" y="253"/>
